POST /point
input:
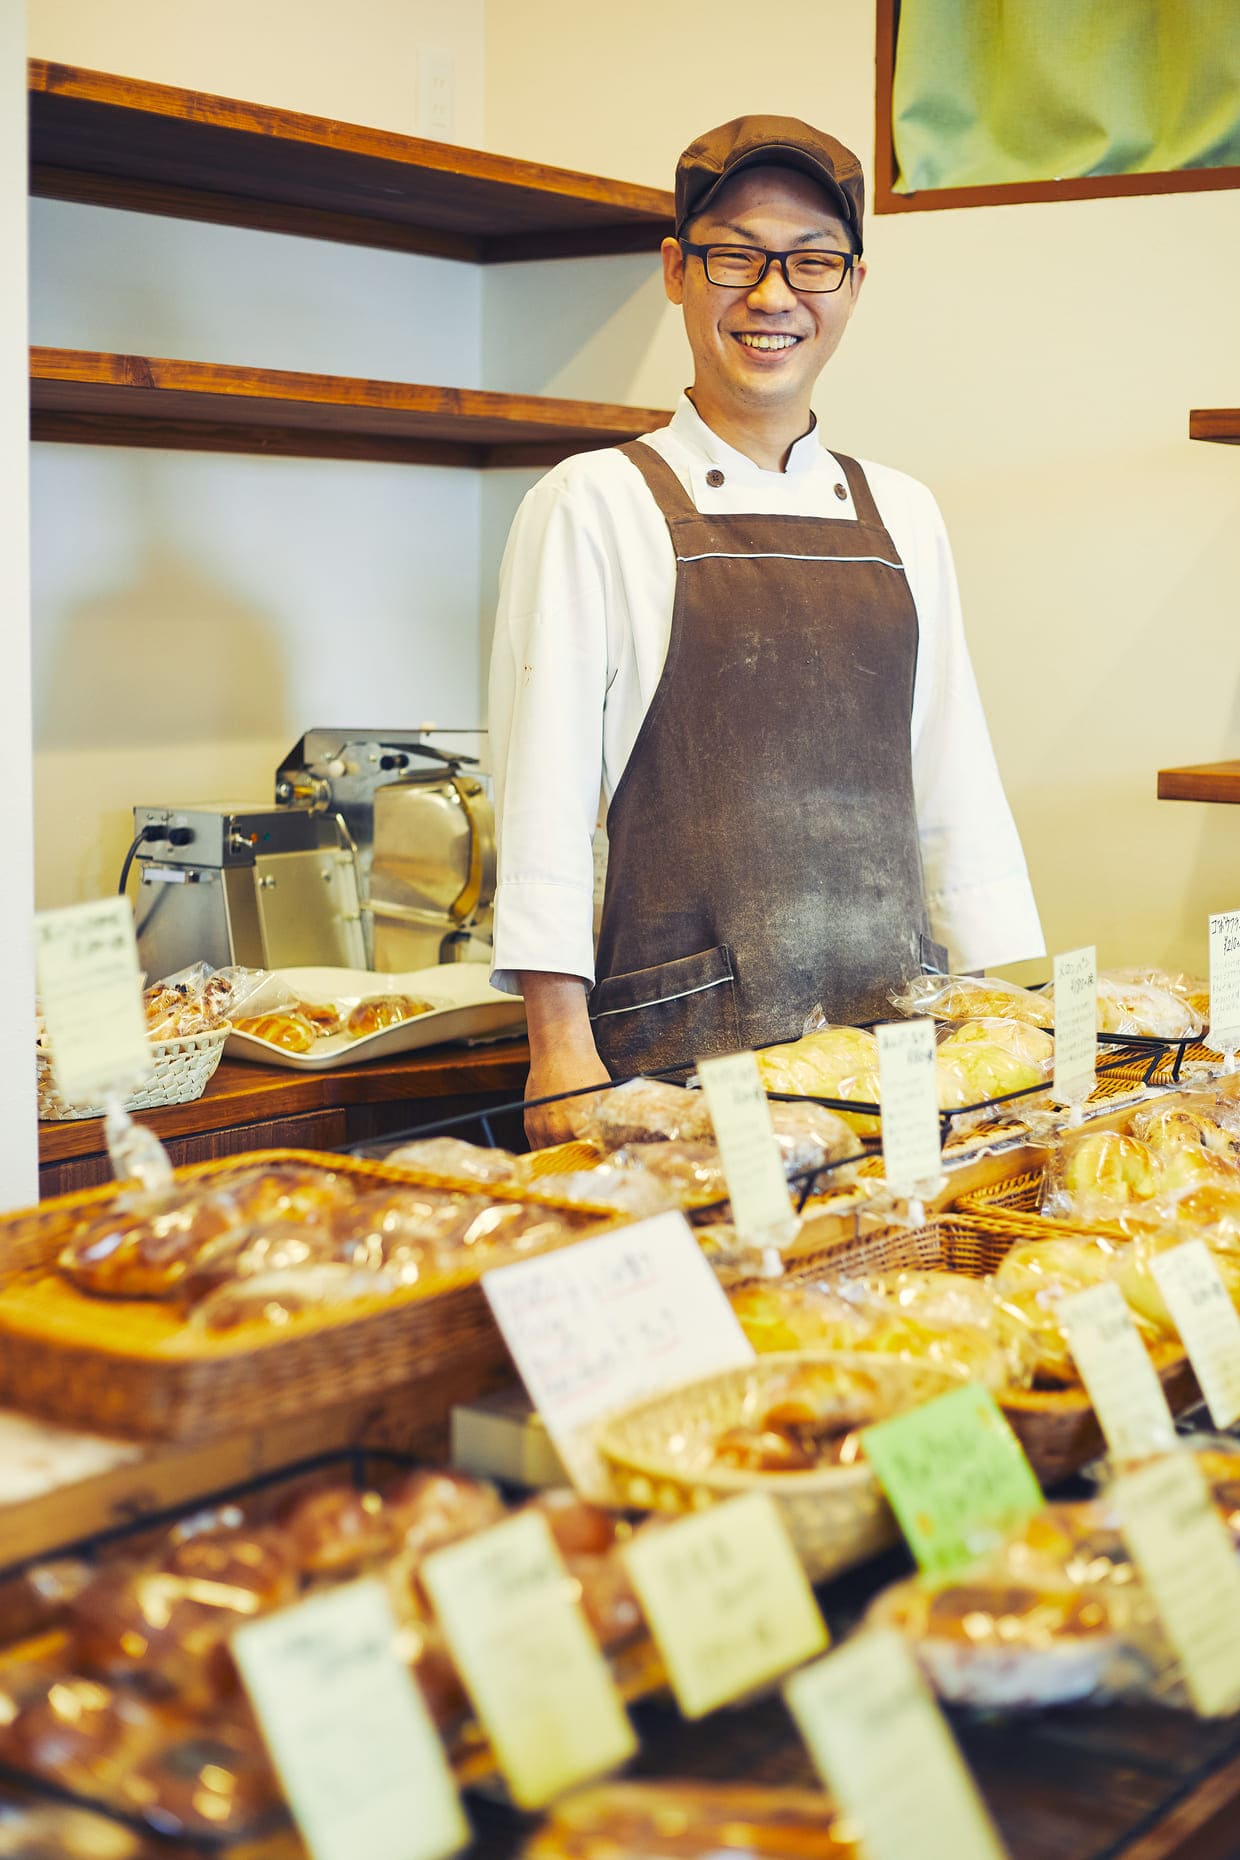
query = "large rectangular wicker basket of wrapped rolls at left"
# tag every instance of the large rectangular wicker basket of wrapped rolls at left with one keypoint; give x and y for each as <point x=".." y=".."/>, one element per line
<point x="133" y="1368"/>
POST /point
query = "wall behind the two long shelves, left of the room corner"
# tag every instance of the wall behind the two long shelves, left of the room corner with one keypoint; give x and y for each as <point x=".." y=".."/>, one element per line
<point x="196" y="613"/>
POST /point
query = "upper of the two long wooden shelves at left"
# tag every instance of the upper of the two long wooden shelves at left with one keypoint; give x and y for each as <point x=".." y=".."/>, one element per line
<point x="150" y="148"/>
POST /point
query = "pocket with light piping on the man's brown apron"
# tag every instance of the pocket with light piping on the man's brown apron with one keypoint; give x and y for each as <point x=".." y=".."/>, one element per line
<point x="672" y="1015"/>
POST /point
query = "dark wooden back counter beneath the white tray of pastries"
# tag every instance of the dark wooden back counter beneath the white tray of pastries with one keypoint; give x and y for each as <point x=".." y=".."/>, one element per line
<point x="272" y="1108"/>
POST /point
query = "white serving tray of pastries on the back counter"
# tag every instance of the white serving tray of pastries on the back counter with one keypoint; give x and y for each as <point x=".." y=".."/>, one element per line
<point x="469" y="1009"/>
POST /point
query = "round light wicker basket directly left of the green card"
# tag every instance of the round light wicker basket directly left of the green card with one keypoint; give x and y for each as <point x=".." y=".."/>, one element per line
<point x="659" y="1455"/>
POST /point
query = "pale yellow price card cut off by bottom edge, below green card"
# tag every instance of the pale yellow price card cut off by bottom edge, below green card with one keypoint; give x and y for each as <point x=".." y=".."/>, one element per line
<point x="888" y="1757"/>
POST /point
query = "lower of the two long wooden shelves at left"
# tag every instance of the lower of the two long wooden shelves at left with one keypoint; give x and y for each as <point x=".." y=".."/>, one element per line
<point x="140" y="401"/>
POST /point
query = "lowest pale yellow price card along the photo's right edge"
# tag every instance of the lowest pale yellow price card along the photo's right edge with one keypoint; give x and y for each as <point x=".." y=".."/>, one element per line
<point x="1185" y="1554"/>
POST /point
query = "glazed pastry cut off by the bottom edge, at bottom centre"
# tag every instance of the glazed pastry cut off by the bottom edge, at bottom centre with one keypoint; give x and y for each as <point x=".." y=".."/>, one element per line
<point x="691" y="1822"/>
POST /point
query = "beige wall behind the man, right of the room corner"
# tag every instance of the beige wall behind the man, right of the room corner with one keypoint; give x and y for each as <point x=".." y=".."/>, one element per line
<point x="1033" y="364"/>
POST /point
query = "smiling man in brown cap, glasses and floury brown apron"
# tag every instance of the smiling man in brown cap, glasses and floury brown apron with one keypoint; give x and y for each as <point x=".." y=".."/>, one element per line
<point x="754" y="648"/>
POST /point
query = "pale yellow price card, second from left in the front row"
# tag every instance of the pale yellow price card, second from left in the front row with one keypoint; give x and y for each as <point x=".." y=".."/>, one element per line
<point x="542" y="1688"/>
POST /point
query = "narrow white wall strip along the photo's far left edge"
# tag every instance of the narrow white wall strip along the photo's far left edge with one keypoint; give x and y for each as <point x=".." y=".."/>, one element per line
<point x="18" y="1113"/>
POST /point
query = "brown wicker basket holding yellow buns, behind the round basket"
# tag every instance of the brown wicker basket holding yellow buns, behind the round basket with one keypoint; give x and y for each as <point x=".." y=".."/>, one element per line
<point x="1057" y="1428"/>
